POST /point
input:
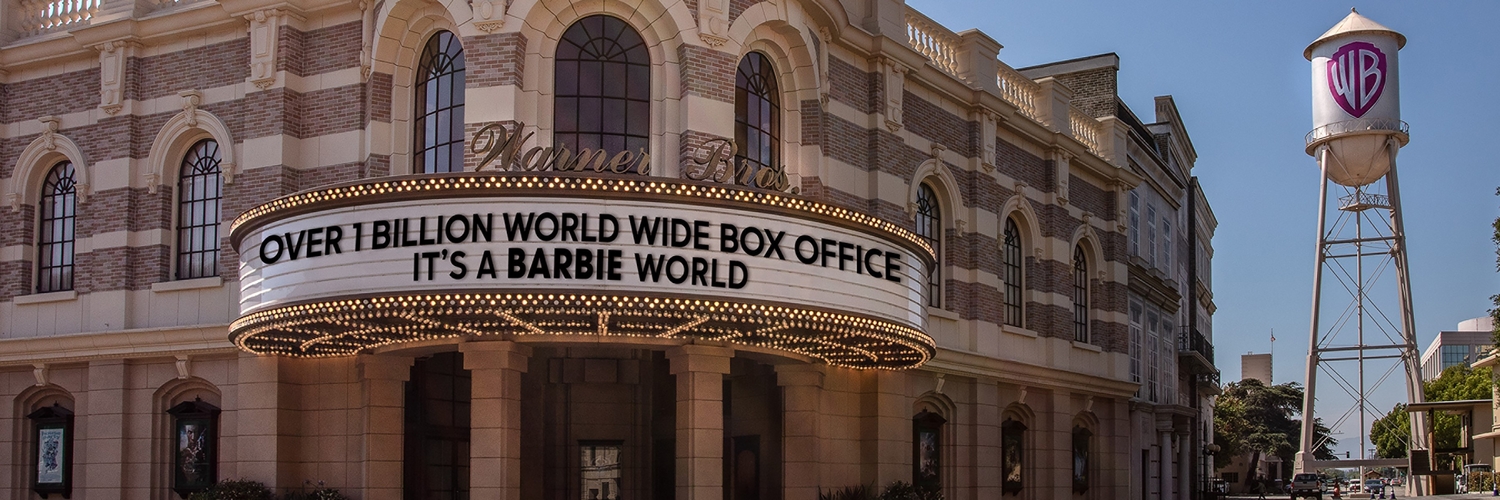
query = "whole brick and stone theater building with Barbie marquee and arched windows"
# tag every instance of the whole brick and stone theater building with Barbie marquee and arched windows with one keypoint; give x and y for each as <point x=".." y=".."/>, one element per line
<point x="550" y="250"/>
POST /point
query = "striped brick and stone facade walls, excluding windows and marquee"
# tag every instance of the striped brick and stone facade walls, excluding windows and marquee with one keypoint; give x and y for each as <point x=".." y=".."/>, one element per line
<point x="310" y="94"/>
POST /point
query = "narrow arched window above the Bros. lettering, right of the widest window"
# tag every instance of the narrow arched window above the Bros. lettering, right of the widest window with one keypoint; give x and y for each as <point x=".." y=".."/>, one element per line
<point x="758" y="113"/>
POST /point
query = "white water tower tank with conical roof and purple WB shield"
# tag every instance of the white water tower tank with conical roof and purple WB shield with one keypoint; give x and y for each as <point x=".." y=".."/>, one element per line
<point x="1357" y="100"/>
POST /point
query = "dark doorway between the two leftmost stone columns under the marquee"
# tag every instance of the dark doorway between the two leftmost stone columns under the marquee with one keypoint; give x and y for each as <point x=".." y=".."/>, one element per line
<point x="437" y="453"/>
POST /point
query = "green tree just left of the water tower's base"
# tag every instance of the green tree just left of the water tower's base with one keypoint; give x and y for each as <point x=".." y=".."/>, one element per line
<point x="1258" y="420"/>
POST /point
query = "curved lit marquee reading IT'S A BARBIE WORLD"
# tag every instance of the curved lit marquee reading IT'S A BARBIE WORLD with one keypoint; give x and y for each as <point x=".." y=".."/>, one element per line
<point x="344" y="270"/>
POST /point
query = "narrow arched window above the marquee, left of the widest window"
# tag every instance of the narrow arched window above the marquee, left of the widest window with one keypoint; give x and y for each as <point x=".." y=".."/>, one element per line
<point x="439" y="127"/>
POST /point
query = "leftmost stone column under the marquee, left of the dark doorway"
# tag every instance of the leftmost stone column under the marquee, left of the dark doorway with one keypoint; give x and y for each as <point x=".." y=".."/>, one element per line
<point x="383" y="400"/>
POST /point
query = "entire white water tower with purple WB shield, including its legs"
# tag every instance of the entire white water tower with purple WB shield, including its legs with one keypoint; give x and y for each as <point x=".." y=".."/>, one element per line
<point x="1357" y="136"/>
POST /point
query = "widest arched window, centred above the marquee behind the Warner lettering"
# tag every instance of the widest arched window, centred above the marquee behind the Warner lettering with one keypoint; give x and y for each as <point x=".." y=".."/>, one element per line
<point x="604" y="88"/>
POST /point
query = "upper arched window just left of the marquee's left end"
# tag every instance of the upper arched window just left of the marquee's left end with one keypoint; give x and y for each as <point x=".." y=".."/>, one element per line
<point x="199" y="196"/>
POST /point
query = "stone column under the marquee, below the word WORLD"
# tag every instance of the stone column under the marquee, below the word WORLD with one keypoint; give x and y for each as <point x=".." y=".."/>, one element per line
<point x="700" y="420"/>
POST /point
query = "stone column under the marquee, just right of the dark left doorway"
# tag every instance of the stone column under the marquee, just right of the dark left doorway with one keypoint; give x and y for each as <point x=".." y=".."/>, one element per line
<point x="496" y="417"/>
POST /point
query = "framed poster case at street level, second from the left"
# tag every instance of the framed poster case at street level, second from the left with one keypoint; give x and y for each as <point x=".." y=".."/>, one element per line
<point x="196" y="447"/>
